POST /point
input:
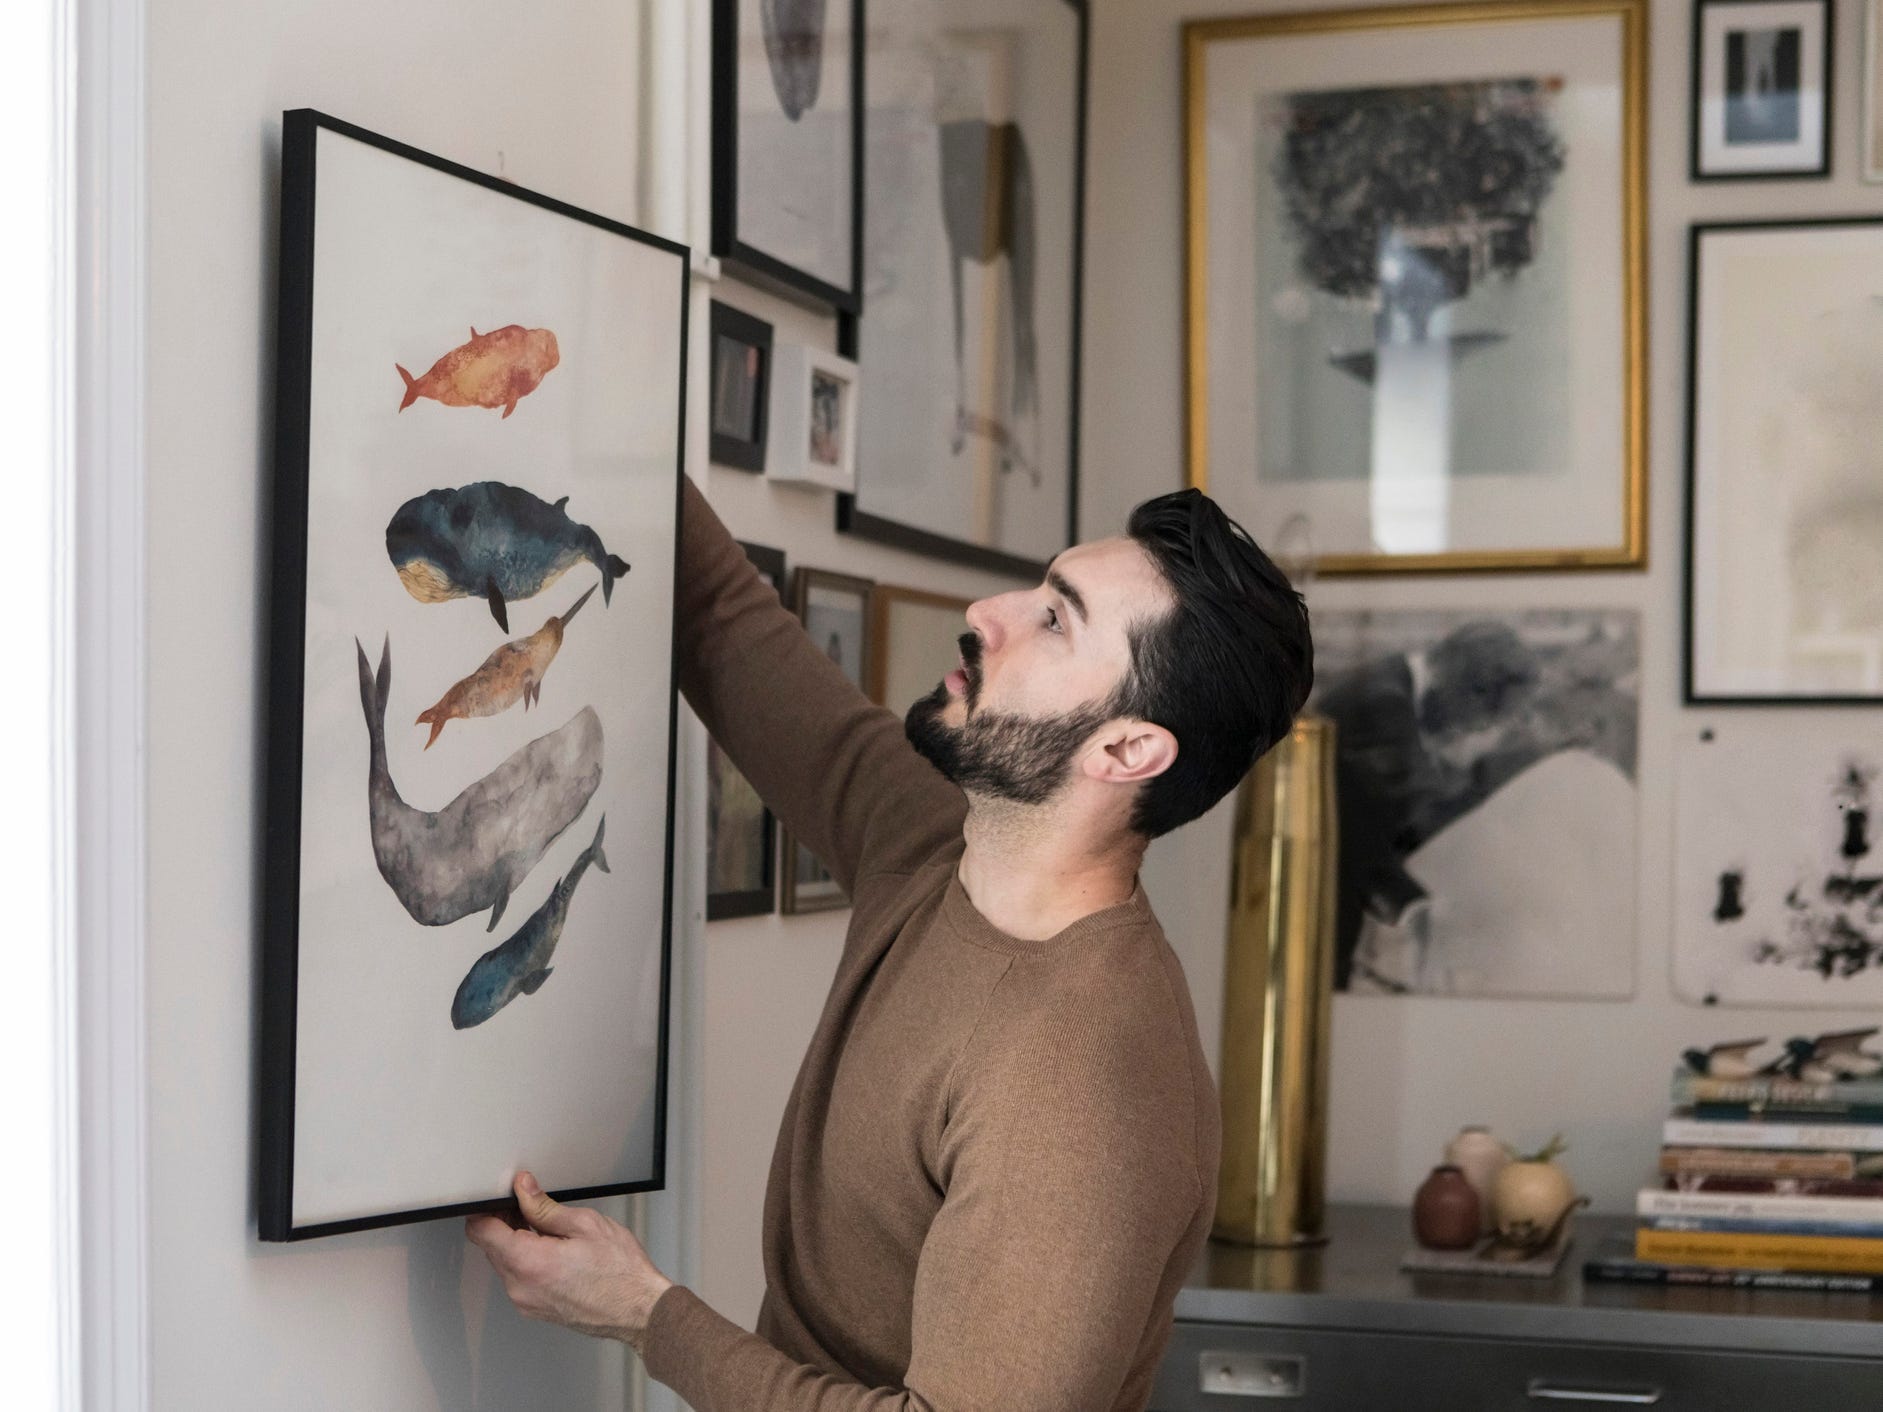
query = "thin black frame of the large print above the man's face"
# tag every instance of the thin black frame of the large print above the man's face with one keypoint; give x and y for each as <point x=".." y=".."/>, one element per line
<point x="854" y="521"/>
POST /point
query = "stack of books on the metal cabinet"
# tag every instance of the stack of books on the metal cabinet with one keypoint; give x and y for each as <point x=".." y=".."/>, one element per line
<point x="1767" y="1181"/>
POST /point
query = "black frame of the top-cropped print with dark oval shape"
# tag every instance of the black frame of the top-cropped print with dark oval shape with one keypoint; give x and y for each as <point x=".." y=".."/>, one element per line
<point x="732" y="240"/>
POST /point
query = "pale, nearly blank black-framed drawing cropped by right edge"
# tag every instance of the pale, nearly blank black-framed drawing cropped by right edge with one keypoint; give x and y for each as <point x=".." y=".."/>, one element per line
<point x="1784" y="502"/>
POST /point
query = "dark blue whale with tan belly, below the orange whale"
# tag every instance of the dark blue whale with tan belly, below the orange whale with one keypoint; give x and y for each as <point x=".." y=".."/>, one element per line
<point x="494" y="543"/>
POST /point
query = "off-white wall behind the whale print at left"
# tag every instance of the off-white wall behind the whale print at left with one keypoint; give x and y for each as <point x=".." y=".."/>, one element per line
<point x="398" y="1319"/>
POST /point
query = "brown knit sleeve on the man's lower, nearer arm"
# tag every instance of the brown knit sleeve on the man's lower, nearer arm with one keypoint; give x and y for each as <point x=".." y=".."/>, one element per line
<point x="1072" y="1185"/>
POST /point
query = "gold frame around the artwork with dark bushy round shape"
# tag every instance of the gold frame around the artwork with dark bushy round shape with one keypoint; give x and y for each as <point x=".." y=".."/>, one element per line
<point x="1634" y="16"/>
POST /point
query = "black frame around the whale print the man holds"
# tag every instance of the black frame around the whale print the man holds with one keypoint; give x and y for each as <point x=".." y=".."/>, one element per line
<point x="280" y="939"/>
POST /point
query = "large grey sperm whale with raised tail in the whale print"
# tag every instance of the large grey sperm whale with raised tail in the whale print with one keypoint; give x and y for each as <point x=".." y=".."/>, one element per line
<point x="472" y="854"/>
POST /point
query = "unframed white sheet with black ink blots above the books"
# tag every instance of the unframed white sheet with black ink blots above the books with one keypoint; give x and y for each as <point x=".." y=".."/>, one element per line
<point x="1778" y="878"/>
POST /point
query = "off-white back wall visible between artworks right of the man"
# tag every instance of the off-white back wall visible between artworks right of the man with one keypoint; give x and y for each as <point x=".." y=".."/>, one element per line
<point x="1408" y="1074"/>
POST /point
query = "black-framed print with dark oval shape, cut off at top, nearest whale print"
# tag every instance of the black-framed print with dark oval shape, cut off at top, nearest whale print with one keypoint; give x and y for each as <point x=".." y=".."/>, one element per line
<point x="788" y="146"/>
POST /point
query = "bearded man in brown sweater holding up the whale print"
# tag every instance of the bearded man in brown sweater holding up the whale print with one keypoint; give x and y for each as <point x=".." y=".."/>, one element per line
<point x="999" y="1161"/>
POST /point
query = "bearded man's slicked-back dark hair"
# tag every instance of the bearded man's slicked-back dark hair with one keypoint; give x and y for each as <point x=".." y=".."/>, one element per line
<point x="1225" y="671"/>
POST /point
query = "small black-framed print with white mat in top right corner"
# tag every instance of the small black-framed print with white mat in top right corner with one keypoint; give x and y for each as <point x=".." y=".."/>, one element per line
<point x="1762" y="89"/>
